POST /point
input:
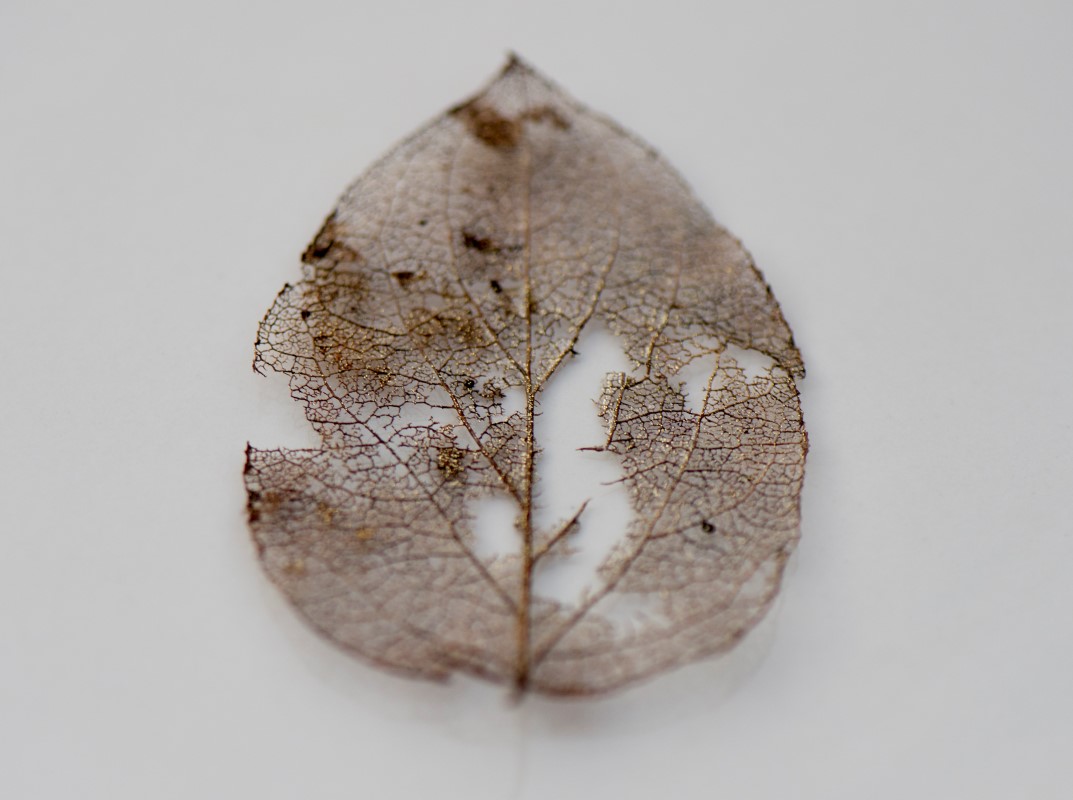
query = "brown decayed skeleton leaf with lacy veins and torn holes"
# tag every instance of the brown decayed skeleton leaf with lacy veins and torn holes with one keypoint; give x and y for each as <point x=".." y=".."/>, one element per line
<point x="465" y="266"/>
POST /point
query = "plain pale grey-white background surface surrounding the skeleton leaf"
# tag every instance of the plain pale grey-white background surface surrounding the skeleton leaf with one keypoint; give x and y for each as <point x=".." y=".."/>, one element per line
<point x="903" y="173"/>
